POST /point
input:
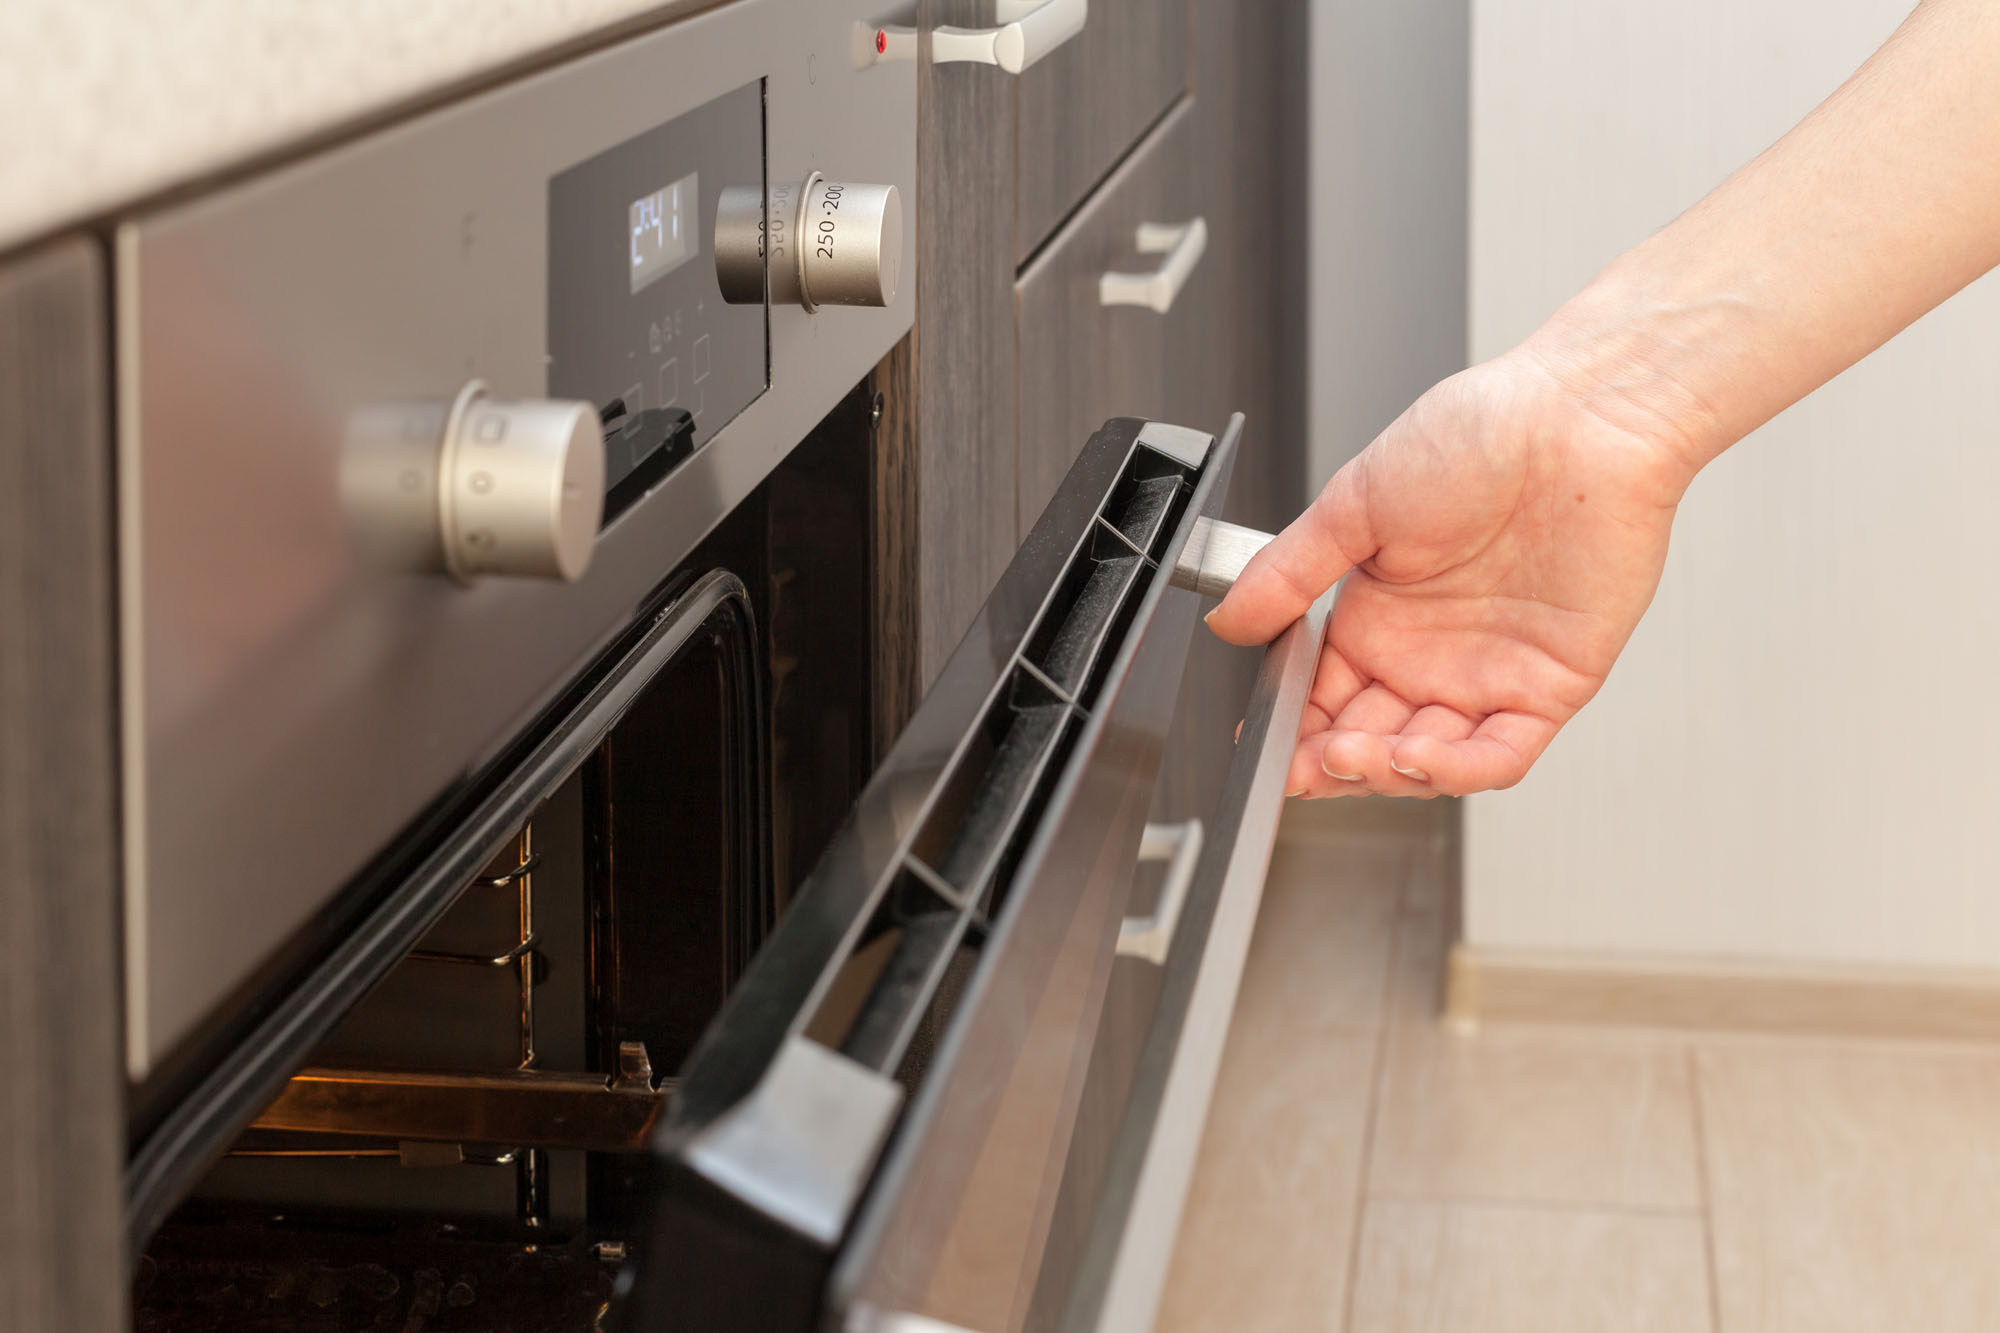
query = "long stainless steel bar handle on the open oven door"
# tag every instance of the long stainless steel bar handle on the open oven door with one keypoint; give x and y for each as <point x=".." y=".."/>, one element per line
<point x="1147" y="1184"/>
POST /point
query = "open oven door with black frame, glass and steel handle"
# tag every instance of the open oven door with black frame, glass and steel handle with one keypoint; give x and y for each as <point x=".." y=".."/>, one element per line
<point x="875" y="1130"/>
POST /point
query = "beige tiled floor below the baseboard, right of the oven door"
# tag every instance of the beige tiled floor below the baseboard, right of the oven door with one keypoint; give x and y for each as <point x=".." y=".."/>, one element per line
<point x="1369" y="1170"/>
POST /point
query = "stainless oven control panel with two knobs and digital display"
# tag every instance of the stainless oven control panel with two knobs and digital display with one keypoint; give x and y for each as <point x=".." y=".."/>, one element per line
<point x="413" y="425"/>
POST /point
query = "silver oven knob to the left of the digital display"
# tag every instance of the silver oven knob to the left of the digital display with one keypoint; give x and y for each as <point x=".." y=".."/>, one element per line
<point x="521" y="487"/>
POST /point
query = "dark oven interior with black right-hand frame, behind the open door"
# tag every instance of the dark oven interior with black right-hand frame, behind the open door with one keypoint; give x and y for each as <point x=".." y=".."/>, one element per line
<point x="465" y="1150"/>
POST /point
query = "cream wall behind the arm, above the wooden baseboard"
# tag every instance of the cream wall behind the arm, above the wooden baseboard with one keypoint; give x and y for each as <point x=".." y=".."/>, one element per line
<point x="1795" y="760"/>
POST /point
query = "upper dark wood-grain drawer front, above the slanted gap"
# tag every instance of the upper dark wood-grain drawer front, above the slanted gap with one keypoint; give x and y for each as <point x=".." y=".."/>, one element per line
<point x="1087" y="103"/>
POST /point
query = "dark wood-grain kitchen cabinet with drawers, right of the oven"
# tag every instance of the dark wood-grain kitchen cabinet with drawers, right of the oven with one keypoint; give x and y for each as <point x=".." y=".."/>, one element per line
<point x="1199" y="119"/>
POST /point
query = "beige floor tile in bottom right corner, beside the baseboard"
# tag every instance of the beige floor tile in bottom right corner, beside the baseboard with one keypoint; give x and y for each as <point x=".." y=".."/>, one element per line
<point x="1853" y="1188"/>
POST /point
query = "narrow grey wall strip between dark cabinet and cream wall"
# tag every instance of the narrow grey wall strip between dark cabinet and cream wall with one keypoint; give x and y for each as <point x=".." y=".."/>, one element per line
<point x="1389" y="215"/>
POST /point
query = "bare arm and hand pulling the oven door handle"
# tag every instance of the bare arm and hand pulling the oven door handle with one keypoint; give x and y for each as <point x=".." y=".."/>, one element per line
<point x="1507" y="533"/>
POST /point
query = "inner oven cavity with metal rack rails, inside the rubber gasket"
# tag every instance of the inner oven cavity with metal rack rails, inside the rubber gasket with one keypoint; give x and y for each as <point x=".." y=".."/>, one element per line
<point x="507" y="1072"/>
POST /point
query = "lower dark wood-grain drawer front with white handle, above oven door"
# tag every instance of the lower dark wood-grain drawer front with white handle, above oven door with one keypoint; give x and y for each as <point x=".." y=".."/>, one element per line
<point x="1083" y="361"/>
